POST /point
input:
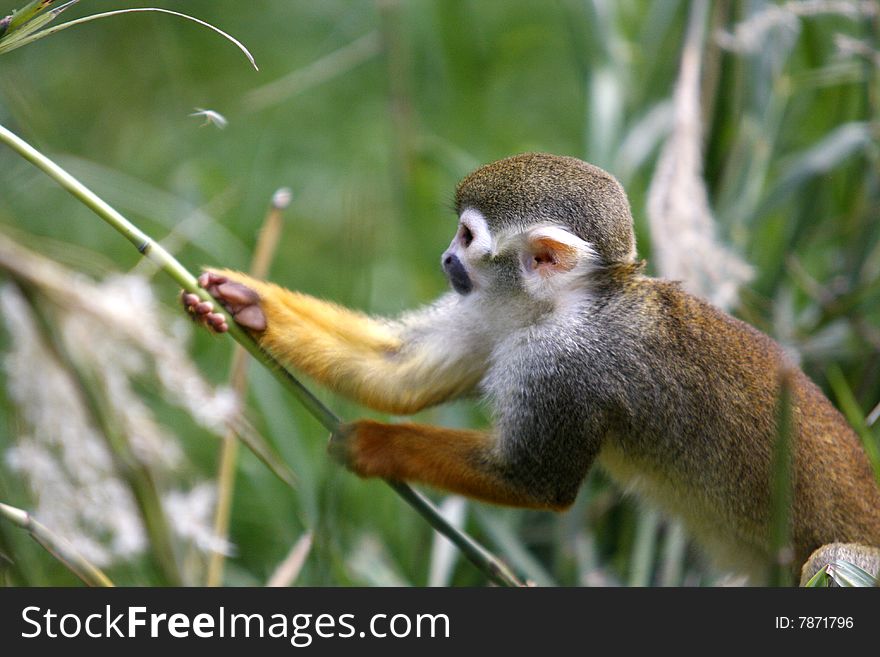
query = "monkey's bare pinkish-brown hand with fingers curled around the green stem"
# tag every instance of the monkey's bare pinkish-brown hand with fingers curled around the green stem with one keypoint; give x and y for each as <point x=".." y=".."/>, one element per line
<point x="240" y="301"/>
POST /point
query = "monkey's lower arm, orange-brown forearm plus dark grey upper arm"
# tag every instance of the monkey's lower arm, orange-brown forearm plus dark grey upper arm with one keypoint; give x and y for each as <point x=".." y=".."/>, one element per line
<point x="529" y="459"/>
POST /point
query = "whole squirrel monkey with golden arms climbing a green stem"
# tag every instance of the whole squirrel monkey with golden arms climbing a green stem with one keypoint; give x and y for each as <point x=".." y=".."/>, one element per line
<point x="583" y="359"/>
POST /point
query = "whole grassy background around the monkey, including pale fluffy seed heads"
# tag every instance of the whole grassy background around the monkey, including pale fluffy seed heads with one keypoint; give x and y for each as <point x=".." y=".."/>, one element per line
<point x="370" y="112"/>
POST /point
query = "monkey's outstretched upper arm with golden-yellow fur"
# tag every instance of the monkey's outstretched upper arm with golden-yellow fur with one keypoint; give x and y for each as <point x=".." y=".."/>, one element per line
<point x="396" y="367"/>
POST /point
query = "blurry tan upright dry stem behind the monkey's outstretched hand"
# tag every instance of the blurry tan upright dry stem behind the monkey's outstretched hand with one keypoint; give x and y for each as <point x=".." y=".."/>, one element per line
<point x="264" y="253"/>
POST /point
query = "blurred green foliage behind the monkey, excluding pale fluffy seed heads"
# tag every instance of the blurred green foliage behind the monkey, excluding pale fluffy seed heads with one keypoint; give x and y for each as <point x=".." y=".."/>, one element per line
<point x="371" y="112"/>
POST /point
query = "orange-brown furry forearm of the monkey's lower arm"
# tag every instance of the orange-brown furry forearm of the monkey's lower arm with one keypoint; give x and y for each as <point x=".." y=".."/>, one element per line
<point x="459" y="461"/>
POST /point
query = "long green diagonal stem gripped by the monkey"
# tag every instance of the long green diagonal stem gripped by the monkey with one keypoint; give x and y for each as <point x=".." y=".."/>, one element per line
<point x="488" y="563"/>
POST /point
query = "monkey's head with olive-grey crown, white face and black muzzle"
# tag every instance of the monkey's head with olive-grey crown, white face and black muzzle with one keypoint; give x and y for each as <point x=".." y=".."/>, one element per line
<point x="536" y="223"/>
